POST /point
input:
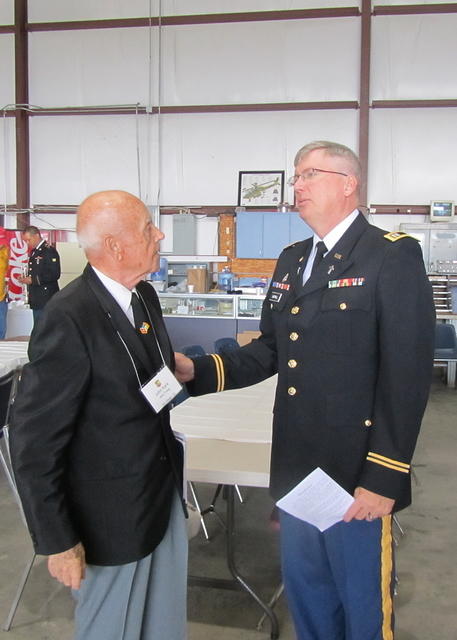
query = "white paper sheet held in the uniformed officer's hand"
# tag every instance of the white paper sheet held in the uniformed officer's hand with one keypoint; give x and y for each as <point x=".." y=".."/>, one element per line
<point x="317" y="499"/>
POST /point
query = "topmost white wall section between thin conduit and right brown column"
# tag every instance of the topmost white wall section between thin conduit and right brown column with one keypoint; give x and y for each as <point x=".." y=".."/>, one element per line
<point x="288" y="61"/>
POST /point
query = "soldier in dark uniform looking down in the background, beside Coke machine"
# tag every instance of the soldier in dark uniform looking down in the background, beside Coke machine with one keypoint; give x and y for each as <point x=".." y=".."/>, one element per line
<point x="43" y="270"/>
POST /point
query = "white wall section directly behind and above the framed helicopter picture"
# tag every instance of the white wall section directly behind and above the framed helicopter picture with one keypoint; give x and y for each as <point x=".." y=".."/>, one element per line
<point x="202" y="154"/>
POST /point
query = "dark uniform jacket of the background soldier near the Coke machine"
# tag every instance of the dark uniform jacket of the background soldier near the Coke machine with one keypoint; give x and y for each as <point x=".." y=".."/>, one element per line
<point x="44" y="269"/>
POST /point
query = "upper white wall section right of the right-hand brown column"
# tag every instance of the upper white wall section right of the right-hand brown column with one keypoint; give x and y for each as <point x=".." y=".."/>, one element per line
<point x="414" y="57"/>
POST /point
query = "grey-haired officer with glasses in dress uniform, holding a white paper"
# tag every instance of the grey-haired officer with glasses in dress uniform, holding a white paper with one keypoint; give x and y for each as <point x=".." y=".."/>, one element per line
<point x="348" y="325"/>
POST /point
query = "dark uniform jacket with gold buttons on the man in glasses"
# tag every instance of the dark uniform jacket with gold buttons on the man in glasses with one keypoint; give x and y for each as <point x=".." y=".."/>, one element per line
<point x="354" y="352"/>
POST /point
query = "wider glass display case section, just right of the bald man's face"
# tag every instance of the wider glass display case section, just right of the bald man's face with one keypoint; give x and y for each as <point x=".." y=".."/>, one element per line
<point x="197" y="305"/>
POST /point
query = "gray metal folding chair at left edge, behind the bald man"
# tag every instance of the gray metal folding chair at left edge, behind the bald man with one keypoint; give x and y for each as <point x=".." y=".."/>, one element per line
<point x="8" y="387"/>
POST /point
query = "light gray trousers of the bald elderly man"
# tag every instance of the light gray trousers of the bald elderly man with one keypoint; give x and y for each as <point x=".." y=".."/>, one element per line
<point x="143" y="600"/>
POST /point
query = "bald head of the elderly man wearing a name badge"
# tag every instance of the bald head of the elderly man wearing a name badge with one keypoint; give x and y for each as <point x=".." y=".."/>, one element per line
<point x="116" y="232"/>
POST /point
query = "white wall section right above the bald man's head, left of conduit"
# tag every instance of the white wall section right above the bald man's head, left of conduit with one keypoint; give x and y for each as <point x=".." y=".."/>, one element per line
<point x="73" y="156"/>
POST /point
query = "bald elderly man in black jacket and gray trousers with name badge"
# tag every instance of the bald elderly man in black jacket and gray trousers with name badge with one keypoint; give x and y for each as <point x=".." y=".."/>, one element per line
<point x="98" y="469"/>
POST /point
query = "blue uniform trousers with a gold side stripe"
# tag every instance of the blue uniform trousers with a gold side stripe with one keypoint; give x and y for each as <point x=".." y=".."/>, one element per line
<point x="339" y="583"/>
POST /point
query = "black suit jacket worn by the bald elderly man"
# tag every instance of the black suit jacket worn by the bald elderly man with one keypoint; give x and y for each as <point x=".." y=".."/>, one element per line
<point x="92" y="460"/>
